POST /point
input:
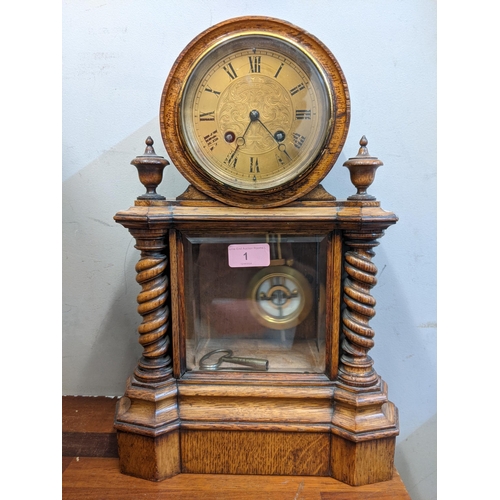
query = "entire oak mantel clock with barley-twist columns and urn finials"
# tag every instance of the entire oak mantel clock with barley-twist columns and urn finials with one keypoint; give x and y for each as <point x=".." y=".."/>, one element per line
<point x="256" y="282"/>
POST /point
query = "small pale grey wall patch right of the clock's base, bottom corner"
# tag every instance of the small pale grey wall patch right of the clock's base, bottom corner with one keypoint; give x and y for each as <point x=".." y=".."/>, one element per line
<point x="416" y="461"/>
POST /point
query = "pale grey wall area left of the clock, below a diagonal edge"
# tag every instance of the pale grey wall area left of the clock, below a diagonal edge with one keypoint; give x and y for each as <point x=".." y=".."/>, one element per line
<point x="99" y="320"/>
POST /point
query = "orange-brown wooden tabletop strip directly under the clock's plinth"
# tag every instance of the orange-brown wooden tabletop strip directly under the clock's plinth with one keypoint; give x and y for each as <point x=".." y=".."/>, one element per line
<point x="100" y="478"/>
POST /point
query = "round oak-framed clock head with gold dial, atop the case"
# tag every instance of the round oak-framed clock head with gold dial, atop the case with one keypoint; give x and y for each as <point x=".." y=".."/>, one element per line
<point x="255" y="112"/>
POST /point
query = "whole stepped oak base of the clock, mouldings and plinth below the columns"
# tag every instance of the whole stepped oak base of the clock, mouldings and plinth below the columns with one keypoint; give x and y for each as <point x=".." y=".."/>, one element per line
<point x="254" y="429"/>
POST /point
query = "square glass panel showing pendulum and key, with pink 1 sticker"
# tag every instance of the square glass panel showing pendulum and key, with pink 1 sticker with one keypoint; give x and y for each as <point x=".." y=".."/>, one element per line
<point x="256" y="297"/>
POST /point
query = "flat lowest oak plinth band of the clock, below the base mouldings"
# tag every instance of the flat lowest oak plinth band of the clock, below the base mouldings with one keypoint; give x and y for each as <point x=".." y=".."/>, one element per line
<point x="254" y="452"/>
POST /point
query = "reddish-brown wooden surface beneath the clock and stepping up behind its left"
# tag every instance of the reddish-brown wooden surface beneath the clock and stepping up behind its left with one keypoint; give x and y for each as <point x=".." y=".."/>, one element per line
<point x="90" y="470"/>
